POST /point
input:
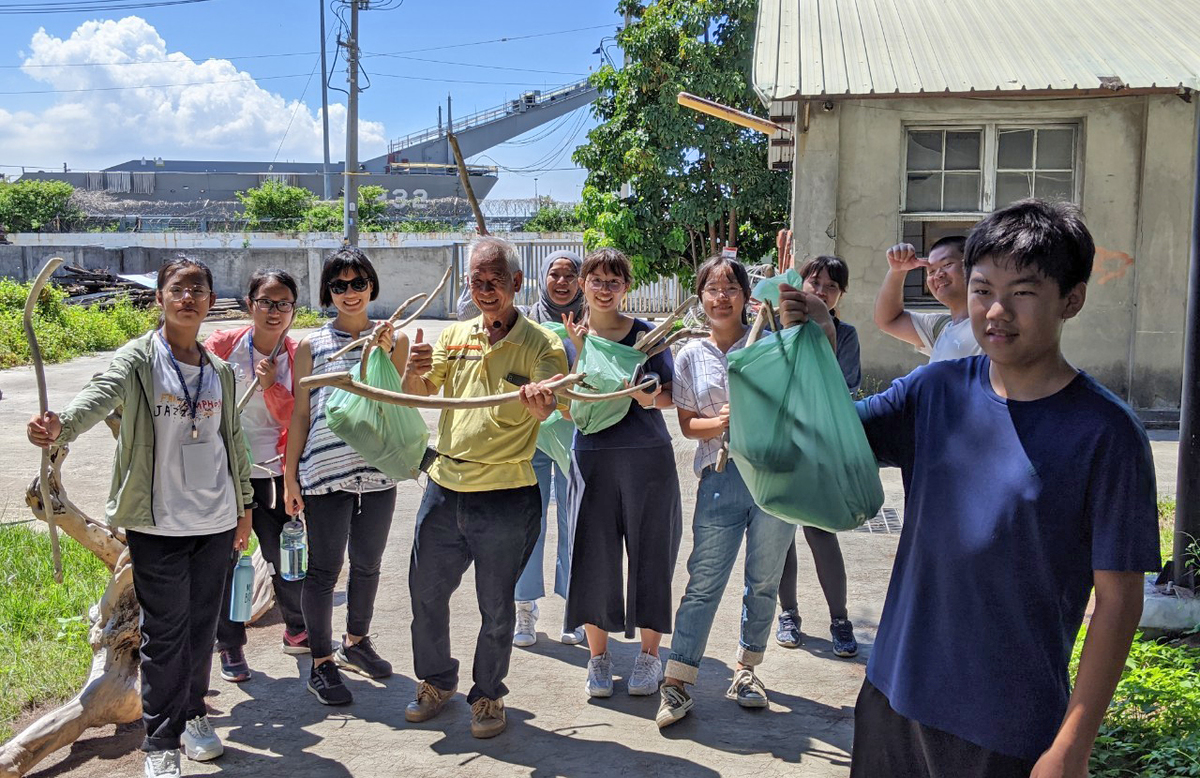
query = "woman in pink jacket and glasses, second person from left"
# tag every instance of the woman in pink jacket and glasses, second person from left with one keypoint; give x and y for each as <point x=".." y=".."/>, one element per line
<point x="265" y="421"/>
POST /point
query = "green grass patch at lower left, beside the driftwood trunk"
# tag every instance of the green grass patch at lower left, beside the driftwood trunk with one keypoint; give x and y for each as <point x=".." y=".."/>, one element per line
<point x="44" y="627"/>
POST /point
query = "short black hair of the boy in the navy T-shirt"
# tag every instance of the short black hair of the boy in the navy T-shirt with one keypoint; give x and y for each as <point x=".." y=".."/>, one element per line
<point x="1049" y="237"/>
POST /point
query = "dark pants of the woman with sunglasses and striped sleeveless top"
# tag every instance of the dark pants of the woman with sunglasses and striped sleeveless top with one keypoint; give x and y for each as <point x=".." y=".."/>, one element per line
<point x="339" y="520"/>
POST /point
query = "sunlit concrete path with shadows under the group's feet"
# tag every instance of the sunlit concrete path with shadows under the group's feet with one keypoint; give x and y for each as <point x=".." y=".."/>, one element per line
<point x="273" y="727"/>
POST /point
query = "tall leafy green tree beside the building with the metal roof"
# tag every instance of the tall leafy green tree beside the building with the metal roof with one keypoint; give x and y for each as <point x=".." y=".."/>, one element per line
<point x="698" y="183"/>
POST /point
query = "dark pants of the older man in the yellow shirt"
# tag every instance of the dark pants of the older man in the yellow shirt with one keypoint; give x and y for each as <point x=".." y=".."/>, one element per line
<point x="497" y="531"/>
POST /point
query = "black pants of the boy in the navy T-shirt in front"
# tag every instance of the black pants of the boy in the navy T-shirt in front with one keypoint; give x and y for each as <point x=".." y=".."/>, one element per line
<point x="891" y="746"/>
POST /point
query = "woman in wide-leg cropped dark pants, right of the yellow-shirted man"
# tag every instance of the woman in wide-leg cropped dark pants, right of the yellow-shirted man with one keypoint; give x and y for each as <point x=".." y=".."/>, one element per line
<point x="625" y="499"/>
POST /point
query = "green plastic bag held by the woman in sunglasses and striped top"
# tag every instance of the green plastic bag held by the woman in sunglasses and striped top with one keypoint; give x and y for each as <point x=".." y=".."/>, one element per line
<point x="392" y="439"/>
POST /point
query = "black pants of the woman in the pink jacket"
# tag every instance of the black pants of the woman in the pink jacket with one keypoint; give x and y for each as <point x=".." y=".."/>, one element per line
<point x="269" y="519"/>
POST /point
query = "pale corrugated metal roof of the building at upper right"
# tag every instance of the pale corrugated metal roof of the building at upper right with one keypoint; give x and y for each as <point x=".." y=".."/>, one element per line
<point x="814" y="49"/>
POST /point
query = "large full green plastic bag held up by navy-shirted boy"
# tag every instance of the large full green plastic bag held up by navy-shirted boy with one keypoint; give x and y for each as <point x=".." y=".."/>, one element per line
<point x="796" y="435"/>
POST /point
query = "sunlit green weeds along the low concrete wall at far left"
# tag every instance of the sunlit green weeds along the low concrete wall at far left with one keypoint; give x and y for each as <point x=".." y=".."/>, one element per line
<point x="65" y="332"/>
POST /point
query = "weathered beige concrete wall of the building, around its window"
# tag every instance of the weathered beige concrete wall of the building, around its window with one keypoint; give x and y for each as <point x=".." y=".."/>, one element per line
<point x="1137" y="163"/>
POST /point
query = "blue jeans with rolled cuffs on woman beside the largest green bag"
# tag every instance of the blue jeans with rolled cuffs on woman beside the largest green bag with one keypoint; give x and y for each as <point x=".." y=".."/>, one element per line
<point x="725" y="512"/>
